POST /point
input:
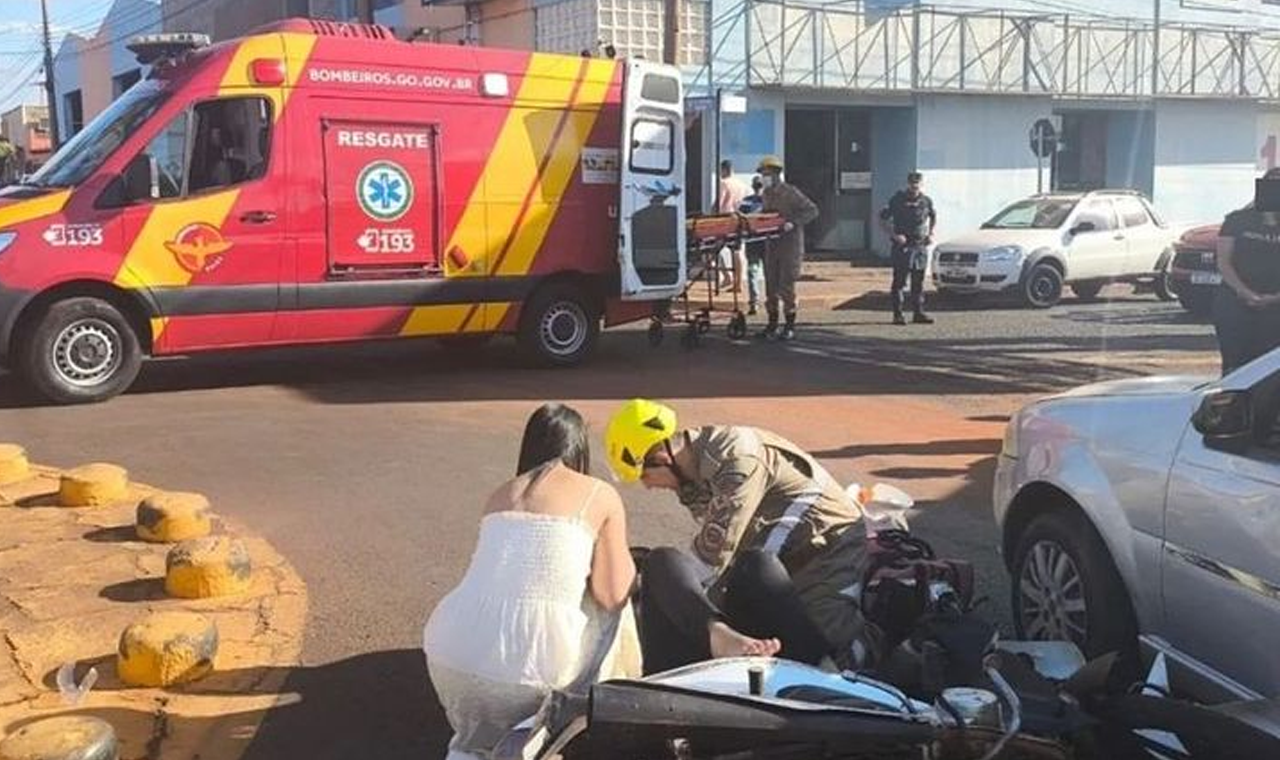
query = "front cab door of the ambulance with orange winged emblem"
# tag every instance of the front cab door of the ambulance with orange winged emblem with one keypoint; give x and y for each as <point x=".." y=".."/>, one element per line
<point x="205" y="225"/>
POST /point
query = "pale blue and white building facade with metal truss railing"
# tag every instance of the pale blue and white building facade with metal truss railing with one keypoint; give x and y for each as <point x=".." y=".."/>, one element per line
<point x="857" y="94"/>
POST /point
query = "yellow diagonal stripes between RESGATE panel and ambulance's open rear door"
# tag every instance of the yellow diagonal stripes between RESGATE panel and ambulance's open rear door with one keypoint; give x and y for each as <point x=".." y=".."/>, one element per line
<point x="495" y="207"/>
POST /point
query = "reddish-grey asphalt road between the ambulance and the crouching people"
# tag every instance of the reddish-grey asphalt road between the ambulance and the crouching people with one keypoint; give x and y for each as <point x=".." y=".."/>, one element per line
<point x="368" y="466"/>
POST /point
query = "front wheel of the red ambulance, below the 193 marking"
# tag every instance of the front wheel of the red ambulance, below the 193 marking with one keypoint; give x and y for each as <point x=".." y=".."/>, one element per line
<point x="81" y="351"/>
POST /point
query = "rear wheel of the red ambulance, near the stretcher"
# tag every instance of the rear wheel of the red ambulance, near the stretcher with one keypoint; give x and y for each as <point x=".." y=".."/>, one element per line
<point x="559" y="327"/>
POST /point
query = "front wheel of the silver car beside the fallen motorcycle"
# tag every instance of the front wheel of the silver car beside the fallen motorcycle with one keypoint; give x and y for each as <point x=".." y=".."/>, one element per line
<point x="1067" y="588"/>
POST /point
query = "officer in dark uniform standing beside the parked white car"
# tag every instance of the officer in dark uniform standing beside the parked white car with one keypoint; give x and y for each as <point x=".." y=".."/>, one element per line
<point x="909" y="219"/>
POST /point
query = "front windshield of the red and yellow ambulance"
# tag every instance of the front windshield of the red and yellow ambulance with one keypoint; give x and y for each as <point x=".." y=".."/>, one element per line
<point x="85" y="153"/>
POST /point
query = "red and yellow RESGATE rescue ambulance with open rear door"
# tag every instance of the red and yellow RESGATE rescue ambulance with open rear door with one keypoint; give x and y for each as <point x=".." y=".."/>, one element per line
<point x="319" y="182"/>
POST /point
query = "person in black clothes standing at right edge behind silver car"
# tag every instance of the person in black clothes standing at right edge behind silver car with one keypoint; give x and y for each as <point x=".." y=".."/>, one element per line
<point x="1247" y="309"/>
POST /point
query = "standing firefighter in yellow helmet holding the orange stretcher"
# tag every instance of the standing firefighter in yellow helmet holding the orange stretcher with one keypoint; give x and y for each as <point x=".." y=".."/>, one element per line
<point x="784" y="257"/>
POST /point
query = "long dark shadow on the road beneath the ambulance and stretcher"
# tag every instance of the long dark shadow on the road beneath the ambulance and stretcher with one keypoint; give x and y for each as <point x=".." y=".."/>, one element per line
<point x="625" y="367"/>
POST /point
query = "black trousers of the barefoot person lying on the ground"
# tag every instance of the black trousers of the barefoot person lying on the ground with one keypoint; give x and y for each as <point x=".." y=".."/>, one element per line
<point x="760" y="601"/>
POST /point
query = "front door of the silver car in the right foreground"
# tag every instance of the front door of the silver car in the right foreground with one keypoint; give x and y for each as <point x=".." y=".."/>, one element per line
<point x="1222" y="558"/>
